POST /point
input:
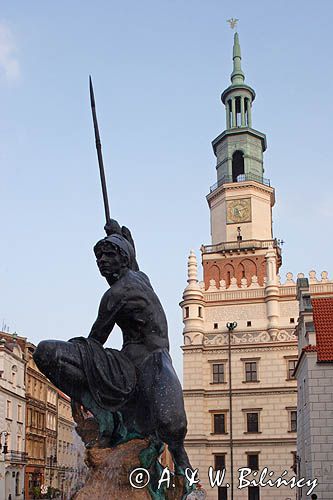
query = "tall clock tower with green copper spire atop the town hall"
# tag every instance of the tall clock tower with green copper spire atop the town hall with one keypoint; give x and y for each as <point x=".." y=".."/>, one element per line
<point x="241" y="201"/>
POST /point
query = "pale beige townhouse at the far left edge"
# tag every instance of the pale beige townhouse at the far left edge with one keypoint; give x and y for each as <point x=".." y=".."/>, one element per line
<point x="12" y="418"/>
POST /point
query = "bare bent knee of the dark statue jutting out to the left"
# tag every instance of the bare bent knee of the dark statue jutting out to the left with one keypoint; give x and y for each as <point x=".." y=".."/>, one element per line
<point x="60" y="362"/>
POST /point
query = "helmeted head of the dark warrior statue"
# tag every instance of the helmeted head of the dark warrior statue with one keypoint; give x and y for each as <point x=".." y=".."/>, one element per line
<point x="114" y="254"/>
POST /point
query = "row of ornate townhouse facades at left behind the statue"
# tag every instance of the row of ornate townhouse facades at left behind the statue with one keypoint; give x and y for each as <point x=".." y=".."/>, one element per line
<point x="38" y="442"/>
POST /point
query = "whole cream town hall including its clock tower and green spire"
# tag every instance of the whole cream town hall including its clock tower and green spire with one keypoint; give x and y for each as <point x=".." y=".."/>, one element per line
<point x="240" y="348"/>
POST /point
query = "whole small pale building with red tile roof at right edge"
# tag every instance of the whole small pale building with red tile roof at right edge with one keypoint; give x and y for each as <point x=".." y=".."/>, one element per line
<point x="314" y="373"/>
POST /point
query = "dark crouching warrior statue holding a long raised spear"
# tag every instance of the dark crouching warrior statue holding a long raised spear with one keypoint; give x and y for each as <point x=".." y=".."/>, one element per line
<point x="134" y="392"/>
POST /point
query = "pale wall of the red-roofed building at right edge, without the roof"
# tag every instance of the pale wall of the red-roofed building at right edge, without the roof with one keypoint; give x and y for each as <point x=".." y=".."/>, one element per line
<point x="314" y="409"/>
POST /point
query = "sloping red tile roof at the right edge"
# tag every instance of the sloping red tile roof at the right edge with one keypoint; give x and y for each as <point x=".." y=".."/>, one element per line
<point x="323" y="323"/>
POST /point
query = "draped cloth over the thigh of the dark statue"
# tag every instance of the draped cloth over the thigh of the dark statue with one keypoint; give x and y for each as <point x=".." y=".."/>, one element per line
<point x="110" y="375"/>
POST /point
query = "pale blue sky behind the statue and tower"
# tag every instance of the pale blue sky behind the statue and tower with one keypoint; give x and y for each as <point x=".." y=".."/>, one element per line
<point x="158" y="68"/>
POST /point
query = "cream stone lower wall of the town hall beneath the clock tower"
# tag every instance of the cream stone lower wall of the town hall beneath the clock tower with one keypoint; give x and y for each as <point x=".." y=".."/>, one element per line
<point x="273" y="395"/>
